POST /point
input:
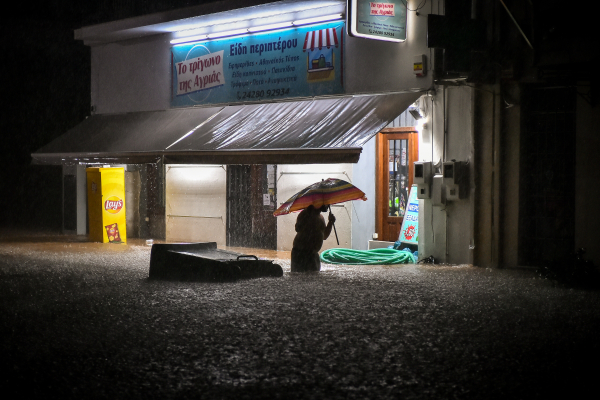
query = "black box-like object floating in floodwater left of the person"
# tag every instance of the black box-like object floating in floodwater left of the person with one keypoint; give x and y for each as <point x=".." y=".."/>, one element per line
<point x="204" y="262"/>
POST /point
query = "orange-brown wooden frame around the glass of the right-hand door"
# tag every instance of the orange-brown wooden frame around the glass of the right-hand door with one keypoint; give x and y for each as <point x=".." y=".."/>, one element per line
<point x="382" y="169"/>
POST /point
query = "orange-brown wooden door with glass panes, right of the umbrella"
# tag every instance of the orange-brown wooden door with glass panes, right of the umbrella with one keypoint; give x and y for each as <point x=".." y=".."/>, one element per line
<point x="397" y="150"/>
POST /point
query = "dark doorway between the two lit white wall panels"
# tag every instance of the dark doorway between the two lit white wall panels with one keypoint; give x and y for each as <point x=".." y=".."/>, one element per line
<point x="251" y="200"/>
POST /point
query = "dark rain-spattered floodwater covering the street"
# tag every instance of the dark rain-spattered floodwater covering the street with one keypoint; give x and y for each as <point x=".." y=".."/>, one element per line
<point x="82" y="320"/>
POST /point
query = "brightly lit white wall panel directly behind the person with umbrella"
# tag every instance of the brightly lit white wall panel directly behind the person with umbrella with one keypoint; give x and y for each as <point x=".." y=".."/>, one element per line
<point x="292" y="179"/>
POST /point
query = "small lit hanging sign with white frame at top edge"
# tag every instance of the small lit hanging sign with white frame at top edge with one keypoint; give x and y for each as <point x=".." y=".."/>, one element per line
<point x="379" y="20"/>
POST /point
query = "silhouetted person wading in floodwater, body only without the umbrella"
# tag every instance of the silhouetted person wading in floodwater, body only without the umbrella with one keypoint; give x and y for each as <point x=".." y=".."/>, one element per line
<point x="311" y="231"/>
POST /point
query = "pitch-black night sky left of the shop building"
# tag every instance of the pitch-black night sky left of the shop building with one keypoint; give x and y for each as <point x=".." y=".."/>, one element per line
<point x="45" y="92"/>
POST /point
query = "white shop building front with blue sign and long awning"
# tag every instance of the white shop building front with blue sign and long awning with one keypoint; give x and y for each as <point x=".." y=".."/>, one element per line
<point x="219" y="117"/>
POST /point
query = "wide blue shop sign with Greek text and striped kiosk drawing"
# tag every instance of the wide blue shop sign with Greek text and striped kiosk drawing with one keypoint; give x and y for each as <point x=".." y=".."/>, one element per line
<point x="297" y="62"/>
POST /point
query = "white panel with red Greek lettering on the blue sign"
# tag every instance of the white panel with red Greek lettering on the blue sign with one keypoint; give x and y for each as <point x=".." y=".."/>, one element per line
<point x="204" y="72"/>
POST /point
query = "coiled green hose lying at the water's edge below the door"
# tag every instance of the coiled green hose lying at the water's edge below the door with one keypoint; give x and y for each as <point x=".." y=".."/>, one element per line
<point x="367" y="257"/>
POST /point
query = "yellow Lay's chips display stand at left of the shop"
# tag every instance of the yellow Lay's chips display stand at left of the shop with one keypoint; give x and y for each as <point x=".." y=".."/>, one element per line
<point x="106" y="205"/>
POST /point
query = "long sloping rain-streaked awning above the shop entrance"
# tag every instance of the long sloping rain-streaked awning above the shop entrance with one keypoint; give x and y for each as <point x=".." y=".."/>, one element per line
<point x="320" y="130"/>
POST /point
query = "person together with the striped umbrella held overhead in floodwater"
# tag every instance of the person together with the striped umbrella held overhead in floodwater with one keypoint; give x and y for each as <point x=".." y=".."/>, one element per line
<point x="311" y="229"/>
